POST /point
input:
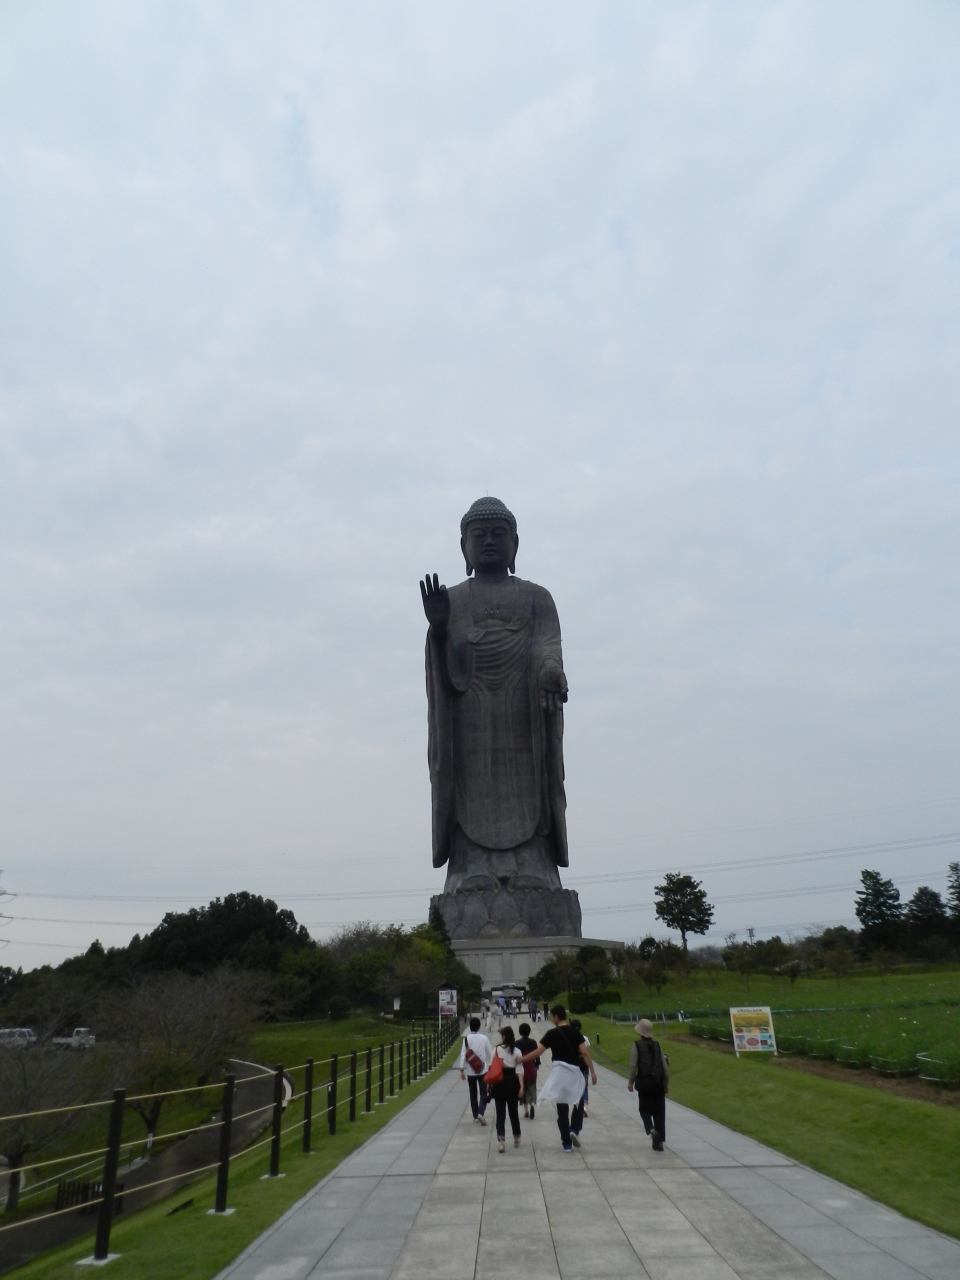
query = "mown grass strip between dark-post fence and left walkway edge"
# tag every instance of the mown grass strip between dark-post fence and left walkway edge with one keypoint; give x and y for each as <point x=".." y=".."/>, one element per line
<point x="194" y="1246"/>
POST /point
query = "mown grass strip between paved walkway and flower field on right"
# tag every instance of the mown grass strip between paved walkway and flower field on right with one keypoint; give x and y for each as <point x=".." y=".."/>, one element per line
<point x="903" y="1153"/>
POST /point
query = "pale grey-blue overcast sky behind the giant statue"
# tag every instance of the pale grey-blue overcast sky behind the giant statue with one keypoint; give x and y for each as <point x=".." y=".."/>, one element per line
<point x="285" y="287"/>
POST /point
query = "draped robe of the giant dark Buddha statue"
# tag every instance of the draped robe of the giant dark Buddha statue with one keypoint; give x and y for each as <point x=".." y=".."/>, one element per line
<point x="496" y="757"/>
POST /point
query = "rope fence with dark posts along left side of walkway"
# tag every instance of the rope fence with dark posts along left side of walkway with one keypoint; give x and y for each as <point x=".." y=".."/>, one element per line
<point x="365" y="1081"/>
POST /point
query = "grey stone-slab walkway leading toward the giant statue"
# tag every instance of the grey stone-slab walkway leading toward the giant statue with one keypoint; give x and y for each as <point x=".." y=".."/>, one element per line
<point x="431" y="1197"/>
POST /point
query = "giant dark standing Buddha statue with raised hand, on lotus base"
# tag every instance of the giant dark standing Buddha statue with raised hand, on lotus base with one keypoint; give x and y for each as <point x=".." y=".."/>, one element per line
<point x="496" y="692"/>
